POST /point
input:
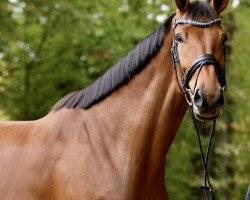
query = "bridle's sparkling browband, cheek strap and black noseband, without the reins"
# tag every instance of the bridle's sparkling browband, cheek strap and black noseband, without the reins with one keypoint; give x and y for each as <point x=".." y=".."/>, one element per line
<point x="199" y="62"/>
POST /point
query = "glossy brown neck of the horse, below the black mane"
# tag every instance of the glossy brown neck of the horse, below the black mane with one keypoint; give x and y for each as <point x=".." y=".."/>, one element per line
<point x="143" y="115"/>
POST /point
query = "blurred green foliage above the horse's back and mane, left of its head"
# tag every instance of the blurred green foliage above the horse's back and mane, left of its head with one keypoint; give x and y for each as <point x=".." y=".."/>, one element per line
<point x="52" y="47"/>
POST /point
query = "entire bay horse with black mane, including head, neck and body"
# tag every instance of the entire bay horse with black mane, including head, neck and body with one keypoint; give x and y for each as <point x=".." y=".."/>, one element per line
<point x="109" y="141"/>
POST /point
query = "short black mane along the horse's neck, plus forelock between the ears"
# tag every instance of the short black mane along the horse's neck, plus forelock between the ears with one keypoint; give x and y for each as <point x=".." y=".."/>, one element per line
<point x="131" y="64"/>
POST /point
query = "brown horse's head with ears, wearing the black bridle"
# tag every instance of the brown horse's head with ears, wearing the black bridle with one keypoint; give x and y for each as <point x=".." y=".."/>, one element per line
<point x="198" y="53"/>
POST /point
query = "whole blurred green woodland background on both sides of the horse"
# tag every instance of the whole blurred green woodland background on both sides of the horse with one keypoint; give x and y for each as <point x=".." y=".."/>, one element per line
<point x="49" y="48"/>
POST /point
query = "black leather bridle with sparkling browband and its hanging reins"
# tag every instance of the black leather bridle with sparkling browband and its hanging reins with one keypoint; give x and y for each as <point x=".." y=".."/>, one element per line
<point x="184" y="85"/>
